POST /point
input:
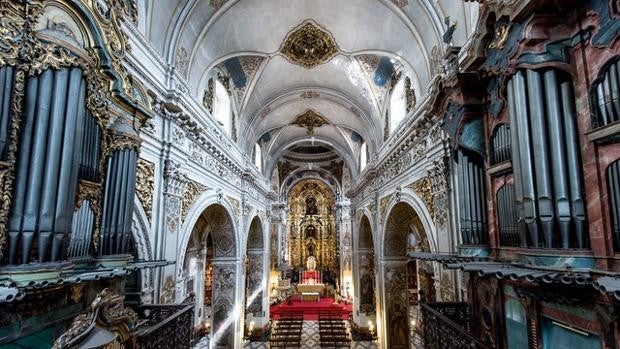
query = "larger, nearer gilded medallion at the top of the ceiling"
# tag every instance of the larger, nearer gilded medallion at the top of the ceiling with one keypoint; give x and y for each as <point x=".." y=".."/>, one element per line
<point x="309" y="45"/>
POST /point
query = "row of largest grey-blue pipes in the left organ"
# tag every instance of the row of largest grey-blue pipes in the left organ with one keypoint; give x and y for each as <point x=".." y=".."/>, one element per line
<point x="46" y="169"/>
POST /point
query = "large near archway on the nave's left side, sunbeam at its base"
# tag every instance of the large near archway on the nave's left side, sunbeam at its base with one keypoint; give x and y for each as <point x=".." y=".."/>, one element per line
<point x="212" y="273"/>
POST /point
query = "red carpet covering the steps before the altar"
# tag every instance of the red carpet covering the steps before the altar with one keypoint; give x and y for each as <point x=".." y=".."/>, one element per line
<point x="311" y="309"/>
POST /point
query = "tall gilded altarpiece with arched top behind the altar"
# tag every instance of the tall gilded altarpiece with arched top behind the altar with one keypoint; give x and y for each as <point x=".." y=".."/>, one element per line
<point x="311" y="226"/>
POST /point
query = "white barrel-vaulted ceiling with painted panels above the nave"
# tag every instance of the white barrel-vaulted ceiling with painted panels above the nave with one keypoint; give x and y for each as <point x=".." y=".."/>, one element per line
<point x="363" y="44"/>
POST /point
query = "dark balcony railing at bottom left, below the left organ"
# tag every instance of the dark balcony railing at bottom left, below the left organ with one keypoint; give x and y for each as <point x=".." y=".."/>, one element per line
<point x="163" y="326"/>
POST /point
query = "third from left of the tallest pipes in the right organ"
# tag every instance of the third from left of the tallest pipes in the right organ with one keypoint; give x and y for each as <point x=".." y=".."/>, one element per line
<point x="558" y="155"/>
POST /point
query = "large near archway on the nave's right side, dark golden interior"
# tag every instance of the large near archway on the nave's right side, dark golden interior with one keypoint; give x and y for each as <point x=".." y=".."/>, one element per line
<point x="403" y="231"/>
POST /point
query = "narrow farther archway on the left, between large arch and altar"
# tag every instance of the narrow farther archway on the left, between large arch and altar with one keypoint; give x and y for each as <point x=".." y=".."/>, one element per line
<point x="255" y="279"/>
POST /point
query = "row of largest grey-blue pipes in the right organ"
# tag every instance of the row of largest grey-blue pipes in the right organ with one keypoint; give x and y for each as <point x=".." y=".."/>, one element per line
<point x="545" y="157"/>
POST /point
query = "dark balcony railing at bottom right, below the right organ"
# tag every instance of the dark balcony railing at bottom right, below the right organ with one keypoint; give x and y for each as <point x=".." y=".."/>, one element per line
<point x="447" y="325"/>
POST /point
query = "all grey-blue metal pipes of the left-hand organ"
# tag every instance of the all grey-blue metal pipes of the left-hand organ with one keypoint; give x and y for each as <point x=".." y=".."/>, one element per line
<point x="58" y="160"/>
